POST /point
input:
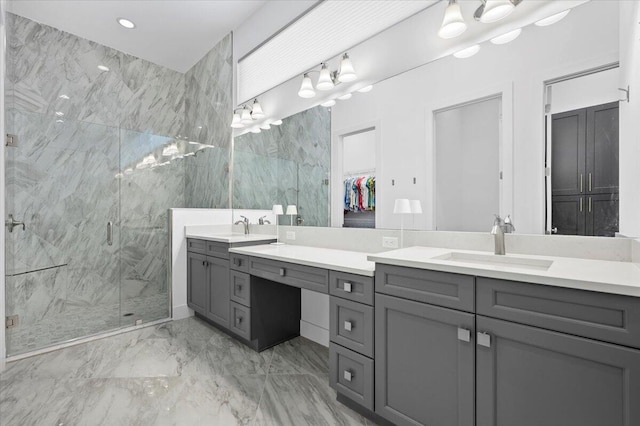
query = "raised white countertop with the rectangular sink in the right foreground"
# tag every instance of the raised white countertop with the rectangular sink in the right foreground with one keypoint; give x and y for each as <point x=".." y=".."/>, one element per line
<point x="585" y="274"/>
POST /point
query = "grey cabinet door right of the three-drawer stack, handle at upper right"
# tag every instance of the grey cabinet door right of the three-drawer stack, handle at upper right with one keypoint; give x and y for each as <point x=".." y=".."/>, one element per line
<point x="424" y="363"/>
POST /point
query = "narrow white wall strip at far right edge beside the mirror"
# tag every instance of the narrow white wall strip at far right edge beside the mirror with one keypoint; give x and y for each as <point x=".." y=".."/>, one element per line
<point x="630" y="119"/>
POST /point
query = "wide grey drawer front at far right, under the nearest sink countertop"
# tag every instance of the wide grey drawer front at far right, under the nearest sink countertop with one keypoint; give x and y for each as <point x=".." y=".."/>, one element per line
<point x="607" y="317"/>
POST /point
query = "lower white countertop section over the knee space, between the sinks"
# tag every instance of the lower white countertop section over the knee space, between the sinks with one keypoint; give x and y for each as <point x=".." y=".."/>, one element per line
<point x="352" y="262"/>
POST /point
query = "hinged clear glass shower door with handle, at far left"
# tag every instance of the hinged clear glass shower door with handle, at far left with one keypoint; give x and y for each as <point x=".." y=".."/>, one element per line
<point x="63" y="273"/>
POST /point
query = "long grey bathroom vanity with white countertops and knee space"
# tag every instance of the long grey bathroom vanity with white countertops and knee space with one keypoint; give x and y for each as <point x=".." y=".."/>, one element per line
<point x="428" y="336"/>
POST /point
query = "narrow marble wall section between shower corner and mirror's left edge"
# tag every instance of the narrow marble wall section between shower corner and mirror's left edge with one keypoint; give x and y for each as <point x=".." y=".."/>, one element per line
<point x="208" y="106"/>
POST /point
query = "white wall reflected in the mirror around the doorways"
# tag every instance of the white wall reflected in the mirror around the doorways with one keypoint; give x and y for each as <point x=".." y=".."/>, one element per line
<point x="538" y="55"/>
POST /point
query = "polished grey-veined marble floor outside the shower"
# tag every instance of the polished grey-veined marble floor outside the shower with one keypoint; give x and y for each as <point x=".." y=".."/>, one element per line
<point x="177" y="373"/>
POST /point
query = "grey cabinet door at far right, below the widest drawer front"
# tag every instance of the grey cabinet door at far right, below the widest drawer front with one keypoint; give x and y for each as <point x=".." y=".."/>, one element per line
<point x="532" y="377"/>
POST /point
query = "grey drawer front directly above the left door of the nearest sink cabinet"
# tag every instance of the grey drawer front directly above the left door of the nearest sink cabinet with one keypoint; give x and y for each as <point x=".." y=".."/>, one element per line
<point x="438" y="288"/>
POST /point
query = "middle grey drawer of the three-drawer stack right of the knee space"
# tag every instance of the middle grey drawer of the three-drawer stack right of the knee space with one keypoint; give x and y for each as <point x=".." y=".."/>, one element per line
<point x="351" y="325"/>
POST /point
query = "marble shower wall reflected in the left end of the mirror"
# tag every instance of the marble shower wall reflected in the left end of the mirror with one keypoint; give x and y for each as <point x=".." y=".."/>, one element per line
<point x="292" y="162"/>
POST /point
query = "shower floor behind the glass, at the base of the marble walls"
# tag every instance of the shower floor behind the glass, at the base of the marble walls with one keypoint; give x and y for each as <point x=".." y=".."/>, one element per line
<point x="83" y="321"/>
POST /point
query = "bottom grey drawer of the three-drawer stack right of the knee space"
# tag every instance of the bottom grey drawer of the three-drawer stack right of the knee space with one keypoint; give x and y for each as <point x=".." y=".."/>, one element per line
<point x="351" y="374"/>
